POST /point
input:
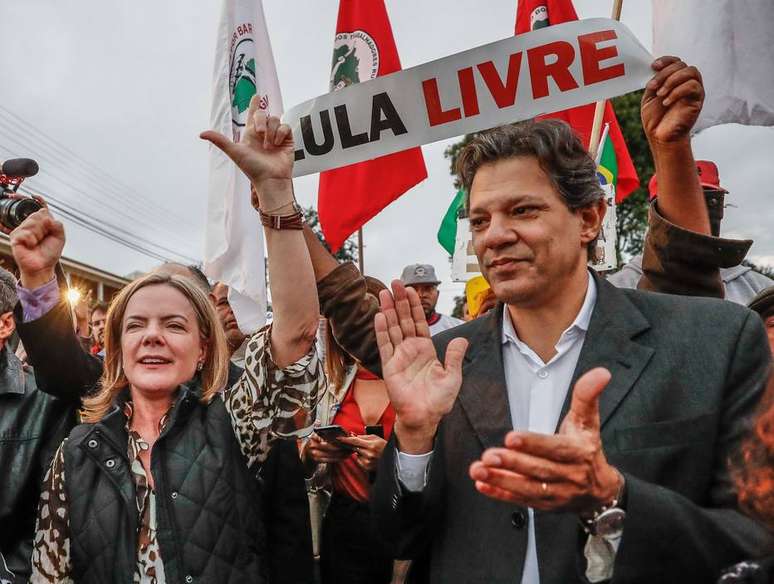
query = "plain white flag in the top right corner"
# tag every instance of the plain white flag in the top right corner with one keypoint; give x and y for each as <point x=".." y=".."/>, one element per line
<point x="732" y="44"/>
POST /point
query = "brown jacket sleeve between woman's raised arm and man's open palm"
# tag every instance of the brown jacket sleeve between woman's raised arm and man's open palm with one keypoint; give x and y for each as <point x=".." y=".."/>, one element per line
<point x="350" y="309"/>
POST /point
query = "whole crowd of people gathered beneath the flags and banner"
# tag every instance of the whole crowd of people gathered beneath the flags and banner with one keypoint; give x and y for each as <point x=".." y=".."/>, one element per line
<point x="576" y="428"/>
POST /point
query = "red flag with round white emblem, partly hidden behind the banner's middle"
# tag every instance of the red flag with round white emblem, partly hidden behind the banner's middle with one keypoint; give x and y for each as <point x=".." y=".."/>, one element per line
<point x="348" y="197"/>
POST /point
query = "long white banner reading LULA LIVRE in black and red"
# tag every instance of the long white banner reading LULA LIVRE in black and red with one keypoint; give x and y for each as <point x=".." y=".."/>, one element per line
<point x="517" y="78"/>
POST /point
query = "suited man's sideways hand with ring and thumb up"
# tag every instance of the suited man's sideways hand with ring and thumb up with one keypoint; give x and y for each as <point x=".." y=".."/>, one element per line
<point x="567" y="471"/>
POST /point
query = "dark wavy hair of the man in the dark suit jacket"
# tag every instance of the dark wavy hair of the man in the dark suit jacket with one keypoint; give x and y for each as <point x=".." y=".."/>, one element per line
<point x="557" y="149"/>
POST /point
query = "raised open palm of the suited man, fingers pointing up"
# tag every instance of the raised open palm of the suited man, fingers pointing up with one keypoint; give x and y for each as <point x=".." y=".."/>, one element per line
<point x="421" y="388"/>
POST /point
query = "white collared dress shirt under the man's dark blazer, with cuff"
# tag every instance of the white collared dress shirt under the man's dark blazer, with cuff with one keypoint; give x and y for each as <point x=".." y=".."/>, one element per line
<point x="536" y="393"/>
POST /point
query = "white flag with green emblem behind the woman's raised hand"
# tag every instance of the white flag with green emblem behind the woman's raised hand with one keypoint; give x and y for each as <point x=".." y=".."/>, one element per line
<point x="244" y="66"/>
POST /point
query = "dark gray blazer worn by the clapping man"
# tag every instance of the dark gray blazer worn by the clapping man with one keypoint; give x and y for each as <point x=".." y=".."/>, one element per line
<point x="687" y="374"/>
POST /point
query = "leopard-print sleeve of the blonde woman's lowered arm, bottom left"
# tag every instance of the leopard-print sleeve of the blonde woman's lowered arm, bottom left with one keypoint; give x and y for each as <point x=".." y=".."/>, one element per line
<point x="51" y="548"/>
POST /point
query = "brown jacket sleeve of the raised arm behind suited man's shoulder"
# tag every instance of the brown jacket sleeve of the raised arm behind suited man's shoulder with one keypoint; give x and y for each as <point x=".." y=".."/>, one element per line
<point x="677" y="261"/>
